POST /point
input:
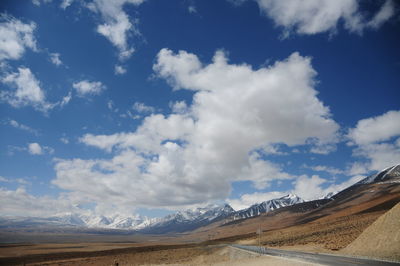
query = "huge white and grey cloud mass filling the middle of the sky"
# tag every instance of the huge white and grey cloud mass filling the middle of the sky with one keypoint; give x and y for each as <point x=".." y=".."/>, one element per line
<point x="193" y="155"/>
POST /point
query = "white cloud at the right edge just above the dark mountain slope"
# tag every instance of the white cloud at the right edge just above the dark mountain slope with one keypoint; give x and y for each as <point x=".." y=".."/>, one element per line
<point x="376" y="139"/>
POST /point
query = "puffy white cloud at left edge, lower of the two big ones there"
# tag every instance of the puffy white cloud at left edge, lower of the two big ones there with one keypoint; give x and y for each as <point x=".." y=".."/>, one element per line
<point x="28" y="91"/>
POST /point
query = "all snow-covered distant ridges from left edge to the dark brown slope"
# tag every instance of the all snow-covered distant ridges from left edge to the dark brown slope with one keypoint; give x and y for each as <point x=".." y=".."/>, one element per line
<point x="180" y="221"/>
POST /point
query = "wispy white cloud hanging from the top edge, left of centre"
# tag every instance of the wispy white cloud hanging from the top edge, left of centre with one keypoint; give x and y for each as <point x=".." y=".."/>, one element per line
<point x="117" y="26"/>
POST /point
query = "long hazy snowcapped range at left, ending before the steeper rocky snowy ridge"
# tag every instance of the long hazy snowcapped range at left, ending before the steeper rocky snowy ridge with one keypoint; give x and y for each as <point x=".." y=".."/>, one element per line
<point x="177" y="222"/>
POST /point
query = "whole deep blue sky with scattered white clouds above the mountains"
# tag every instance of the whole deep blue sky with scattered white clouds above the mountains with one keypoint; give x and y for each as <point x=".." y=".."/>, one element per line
<point x="145" y="107"/>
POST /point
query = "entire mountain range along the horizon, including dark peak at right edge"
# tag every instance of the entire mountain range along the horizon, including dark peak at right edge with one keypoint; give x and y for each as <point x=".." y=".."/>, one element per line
<point x="187" y="220"/>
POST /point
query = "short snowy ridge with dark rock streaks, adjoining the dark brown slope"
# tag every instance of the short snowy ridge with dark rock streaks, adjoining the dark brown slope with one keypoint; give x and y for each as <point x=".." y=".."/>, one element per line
<point x="267" y="206"/>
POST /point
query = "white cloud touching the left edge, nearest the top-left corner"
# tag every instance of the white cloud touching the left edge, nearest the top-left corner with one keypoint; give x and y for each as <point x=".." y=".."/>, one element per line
<point x="15" y="37"/>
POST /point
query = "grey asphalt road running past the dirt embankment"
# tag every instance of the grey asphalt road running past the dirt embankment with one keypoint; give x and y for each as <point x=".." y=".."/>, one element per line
<point x="315" y="258"/>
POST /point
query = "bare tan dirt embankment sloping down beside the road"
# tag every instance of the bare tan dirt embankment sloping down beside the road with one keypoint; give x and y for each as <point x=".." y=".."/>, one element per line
<point x="381" y="239"/>
